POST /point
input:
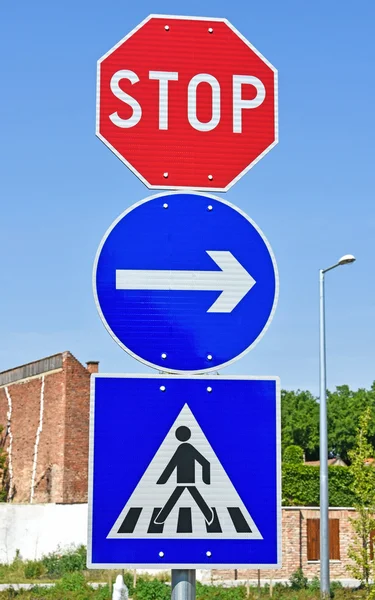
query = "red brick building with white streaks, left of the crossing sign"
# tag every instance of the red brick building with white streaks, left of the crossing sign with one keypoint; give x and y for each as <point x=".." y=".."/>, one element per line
<point x="44" y="409"/>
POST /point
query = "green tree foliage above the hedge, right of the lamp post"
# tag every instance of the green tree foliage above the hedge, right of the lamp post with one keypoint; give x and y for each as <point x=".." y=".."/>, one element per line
<point x="345" y="408"/>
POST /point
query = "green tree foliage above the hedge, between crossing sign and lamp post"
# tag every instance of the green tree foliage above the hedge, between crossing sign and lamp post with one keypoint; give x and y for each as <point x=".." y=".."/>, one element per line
<point x="300" y="422"/>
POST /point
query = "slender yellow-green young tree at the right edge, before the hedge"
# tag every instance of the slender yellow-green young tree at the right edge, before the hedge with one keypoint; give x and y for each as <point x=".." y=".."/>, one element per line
<point x="363" y="567"/>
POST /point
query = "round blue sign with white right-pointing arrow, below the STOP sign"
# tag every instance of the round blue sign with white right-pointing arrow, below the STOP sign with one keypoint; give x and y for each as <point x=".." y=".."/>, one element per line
<point x="185" y="282"/>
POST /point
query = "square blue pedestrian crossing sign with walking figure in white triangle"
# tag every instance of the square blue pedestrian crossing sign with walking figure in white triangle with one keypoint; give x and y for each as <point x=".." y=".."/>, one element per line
<point x="184" y="472"/>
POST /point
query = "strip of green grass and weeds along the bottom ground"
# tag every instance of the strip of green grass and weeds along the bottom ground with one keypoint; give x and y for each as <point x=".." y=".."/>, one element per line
<point x="67" y="570"/>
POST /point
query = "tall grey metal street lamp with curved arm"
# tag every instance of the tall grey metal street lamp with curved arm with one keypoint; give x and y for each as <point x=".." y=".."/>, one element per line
<point x="323" y="454"/>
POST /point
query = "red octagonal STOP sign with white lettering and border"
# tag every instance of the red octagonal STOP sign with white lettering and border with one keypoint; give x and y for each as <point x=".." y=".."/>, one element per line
<point x="187" y="102"/>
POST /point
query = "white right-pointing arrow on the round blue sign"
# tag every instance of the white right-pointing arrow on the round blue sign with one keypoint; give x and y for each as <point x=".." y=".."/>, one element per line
<point x="233" y="281"/>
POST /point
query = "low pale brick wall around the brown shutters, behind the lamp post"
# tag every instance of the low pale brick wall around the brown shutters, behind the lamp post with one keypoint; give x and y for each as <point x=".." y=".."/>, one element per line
<point x="294" y="548"/>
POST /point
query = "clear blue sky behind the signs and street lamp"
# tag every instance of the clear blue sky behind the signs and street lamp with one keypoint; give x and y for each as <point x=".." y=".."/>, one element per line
<point x="312" y="195"/>
